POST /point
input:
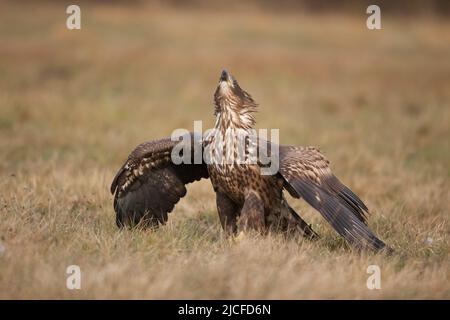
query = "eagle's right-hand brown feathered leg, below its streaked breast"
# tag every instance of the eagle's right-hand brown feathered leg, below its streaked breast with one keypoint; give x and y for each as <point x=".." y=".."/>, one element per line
<point x="252" y="213"/>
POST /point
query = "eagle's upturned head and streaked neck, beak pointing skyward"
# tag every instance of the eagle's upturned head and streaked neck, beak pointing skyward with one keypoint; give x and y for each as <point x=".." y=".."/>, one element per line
<point x="234" y="107"/>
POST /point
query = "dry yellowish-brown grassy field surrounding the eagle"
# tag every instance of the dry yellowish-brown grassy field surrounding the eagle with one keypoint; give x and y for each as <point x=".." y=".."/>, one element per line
<point x="73" y="104"/>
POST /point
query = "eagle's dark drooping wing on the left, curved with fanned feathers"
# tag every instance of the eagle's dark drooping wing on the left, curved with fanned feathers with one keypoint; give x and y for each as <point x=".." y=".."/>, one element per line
<point x="149" y="184"/>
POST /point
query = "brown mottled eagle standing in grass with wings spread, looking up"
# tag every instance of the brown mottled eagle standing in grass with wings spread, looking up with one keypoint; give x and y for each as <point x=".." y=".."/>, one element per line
<point x="149" y="184"/>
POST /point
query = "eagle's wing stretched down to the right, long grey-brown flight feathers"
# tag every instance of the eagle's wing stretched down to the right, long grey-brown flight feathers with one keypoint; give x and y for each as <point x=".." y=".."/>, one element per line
<point x="307" y="174"/>
